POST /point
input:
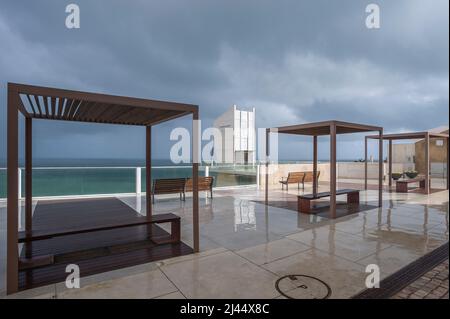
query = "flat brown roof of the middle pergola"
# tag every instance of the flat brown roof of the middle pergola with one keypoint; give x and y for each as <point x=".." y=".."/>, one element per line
<point x="323" y="128"/>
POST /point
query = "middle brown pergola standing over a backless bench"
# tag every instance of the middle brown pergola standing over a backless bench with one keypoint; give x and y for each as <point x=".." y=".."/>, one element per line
<point x="331" y="128"/>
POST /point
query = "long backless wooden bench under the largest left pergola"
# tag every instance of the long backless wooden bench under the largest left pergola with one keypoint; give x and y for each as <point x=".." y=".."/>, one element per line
<point x="38" y="261"/>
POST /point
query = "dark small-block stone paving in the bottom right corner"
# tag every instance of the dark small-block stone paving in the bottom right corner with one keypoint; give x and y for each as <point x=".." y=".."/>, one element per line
<point x="432" y="285"/>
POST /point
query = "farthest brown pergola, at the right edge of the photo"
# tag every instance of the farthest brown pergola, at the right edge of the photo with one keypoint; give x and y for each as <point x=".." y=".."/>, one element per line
<point x="427" y="136"/>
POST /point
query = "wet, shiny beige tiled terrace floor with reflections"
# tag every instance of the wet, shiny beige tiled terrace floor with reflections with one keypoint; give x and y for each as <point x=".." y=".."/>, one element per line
<point x="246" y="246"/>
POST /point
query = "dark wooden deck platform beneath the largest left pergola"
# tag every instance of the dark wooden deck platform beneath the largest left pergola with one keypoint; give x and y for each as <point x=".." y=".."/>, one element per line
<point x="93" y="252"/>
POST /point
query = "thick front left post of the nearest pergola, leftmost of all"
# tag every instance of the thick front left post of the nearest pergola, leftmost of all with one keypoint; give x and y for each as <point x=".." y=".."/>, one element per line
<point x="12" y="254"/>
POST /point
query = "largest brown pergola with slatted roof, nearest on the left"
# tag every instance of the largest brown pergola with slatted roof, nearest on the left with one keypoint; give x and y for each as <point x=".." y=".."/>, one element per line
<point x="35" y="102"/>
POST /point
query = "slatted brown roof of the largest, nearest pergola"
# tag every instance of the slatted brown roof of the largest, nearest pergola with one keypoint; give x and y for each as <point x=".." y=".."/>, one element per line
<point x="67" y="105"/>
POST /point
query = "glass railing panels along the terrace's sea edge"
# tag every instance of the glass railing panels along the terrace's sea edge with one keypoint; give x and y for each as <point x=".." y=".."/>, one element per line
<point x="66" y="181"/>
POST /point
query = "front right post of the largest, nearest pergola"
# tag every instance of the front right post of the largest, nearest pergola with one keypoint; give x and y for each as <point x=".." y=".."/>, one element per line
<point x="196" y="159"/>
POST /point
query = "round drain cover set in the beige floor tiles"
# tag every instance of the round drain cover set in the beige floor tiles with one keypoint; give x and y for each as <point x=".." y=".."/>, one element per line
<point x="302" y="287"/>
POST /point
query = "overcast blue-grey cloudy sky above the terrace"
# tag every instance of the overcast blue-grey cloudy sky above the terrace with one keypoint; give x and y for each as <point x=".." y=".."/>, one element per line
<point x="294" y="61"/>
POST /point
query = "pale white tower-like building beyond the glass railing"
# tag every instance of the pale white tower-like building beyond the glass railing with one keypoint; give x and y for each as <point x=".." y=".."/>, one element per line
<point x="239" y="138"/>
